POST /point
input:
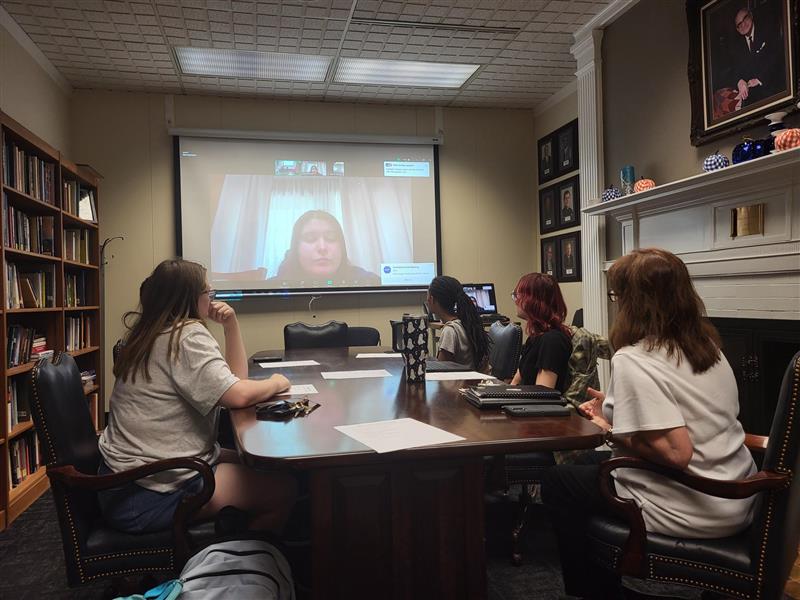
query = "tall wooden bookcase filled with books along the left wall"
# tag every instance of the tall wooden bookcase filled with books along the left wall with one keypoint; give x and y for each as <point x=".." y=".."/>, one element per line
<point x="50" y="289"/>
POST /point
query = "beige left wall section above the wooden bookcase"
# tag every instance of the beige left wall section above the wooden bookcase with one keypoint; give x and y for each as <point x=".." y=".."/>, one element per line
<point x="30" y="96"/>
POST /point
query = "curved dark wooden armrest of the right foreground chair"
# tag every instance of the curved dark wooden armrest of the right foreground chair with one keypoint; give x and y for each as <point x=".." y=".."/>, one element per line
<point x="633" y="556"/>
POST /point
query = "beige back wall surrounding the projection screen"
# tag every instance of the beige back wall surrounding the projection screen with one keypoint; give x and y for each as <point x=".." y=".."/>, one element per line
<point x="486" y="174"/>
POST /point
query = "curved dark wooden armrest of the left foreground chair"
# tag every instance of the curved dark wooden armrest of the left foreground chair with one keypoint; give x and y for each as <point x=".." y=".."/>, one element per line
<point x="69" y="476"/>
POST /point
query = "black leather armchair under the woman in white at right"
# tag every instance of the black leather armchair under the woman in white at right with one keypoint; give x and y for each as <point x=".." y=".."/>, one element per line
<point x="754" y="563"/>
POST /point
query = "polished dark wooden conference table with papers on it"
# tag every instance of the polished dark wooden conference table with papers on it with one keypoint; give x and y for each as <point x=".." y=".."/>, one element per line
<point x="404" y="524"/>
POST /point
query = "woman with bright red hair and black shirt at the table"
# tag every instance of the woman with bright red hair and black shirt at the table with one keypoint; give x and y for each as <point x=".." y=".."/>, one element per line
<point x="546" y="353"/>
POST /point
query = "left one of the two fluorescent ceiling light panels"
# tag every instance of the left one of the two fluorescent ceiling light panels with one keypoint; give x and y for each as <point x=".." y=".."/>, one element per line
<point x="252" y="65"/>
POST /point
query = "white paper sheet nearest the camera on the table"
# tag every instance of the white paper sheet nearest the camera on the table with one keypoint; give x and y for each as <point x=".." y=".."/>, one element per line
<point x="397" y="434"/>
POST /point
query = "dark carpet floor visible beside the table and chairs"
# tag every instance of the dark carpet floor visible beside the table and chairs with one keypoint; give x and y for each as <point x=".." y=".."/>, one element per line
<point x="32" y="561"/>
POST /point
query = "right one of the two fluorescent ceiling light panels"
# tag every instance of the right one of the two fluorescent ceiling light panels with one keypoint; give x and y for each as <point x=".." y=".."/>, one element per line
<point x="403" y="72"/>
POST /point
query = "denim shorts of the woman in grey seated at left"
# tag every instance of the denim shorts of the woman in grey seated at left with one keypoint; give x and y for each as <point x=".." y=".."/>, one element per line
<point x="134" y="509"/>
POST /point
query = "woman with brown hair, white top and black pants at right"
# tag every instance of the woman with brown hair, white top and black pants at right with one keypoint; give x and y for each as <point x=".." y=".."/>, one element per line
<point x="672" y="400"/>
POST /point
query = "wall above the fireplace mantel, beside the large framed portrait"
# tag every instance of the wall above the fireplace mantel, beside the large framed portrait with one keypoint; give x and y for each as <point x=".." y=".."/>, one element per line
<point x="646" y="104"/>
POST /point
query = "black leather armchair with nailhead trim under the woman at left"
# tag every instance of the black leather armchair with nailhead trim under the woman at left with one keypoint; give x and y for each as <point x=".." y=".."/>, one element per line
<point x="92" y="550"/>
